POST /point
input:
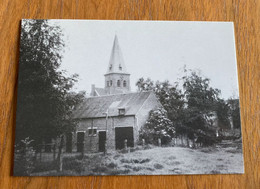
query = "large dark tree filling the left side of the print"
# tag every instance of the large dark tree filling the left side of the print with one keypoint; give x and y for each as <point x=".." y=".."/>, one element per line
<point x="45" y="101"/>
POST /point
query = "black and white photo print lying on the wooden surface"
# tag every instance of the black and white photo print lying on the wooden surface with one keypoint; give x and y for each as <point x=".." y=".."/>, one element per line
<point x="107" y="97"/>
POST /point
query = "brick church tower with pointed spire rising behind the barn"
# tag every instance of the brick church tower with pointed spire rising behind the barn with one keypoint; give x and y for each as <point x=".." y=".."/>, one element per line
<point x="117" y="79"/>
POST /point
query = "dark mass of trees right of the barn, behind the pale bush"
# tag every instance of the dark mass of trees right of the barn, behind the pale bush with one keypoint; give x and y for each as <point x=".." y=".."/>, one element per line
<point x="196" y="110"/>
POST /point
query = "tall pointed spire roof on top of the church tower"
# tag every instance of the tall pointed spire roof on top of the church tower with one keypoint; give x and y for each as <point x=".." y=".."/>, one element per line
<point x="116" y="62"/>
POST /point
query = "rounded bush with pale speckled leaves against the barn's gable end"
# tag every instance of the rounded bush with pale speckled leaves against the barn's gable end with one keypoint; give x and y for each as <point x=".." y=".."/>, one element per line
<point x="157" y="126"/>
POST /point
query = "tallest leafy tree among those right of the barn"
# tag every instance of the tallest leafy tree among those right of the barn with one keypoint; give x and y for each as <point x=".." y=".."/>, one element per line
<point x="202" y="102"/>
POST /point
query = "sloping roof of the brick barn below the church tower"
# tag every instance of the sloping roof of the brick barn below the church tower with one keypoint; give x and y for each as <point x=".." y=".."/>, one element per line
<point x="94" y="107"/>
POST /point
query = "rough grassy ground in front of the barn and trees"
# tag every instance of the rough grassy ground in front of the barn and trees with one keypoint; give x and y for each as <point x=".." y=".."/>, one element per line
<point x="224" y="158"/>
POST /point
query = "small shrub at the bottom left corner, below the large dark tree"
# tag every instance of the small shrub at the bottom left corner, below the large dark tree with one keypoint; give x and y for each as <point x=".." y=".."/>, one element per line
<point x="24" y="158"/>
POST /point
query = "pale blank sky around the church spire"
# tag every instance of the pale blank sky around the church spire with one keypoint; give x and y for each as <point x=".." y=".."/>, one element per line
<point x="155" y="49"/>
